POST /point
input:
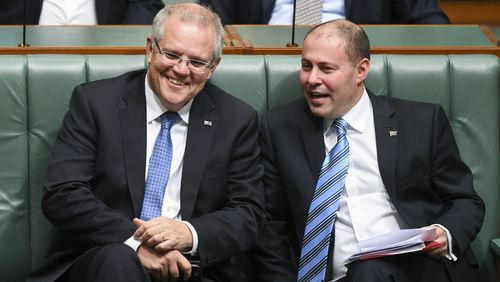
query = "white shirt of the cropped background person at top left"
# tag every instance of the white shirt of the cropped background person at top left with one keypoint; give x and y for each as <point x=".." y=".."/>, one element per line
<point x="68" y="12"/>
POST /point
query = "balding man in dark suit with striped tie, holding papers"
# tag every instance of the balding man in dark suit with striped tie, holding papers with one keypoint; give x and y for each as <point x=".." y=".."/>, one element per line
<point x="402" y="170"/>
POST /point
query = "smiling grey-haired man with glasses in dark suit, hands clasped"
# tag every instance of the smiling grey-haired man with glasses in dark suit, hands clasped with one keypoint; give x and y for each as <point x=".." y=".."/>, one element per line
<point x="95" y="187"/>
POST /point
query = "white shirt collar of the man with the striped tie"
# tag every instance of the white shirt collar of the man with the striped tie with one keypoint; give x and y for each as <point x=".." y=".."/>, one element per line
<point x="357" y="118"/>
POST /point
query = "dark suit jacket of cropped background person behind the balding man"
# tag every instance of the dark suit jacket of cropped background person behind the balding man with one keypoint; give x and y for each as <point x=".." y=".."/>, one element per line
<point x="358" y="11"/>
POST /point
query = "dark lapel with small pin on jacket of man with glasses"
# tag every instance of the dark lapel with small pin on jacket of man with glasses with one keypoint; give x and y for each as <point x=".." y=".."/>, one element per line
<point x="201" y="132"/>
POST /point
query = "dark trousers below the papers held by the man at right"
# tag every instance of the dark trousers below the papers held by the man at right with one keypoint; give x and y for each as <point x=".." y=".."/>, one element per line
<point x="413" y="267"/>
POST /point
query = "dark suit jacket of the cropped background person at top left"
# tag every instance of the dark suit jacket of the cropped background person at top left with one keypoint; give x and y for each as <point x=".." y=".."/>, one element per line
<point x="108" y="11"/>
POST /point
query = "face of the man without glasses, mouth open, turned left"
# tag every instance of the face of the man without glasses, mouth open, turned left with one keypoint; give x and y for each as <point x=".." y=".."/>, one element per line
<point x="332" y="83"/>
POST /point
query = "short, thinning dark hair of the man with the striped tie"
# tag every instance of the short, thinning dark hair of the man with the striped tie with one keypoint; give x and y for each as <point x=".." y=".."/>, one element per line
<point x="357" y="42"/>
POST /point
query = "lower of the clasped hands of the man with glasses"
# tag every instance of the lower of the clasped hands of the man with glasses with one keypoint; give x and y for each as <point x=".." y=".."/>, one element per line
<point x="164" y="266"/>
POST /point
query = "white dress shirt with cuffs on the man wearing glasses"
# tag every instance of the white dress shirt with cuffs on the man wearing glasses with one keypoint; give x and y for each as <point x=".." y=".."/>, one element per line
<point x="172" y="198"/>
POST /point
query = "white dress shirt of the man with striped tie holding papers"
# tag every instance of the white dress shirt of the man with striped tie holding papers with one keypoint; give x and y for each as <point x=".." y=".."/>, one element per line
<point x="365" y="209"/>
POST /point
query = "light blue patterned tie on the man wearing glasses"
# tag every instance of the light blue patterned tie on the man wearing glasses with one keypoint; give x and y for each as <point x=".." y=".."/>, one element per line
<point x="159" y="168"/>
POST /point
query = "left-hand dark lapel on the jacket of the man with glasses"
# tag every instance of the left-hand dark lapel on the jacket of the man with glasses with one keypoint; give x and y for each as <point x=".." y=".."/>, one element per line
<point x="132" y="112"/>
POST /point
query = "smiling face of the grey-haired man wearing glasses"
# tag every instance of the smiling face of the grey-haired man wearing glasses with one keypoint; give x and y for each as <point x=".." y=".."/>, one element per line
<point x="175" y="85"/>
